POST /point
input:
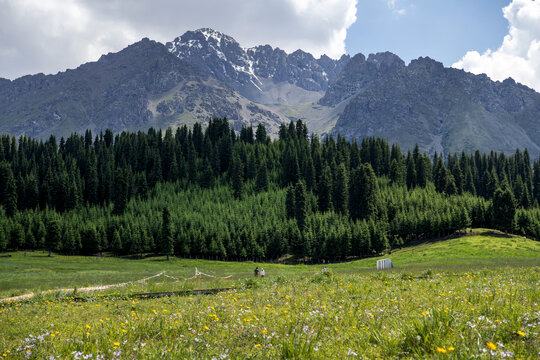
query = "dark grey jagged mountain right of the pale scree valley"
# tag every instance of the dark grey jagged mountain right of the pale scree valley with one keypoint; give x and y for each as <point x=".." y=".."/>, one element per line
<point x="441" y="109"/>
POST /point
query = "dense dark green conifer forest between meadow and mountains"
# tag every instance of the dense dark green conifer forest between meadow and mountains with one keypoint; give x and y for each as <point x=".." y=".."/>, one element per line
<point x="211" y="192"/>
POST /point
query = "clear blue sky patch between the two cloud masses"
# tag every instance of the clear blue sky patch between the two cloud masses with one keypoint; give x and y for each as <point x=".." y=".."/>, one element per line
<point x="441" y="29"/>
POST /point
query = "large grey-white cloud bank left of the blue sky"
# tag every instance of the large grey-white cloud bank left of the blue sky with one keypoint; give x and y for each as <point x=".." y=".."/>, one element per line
<point x="52" y="35"/>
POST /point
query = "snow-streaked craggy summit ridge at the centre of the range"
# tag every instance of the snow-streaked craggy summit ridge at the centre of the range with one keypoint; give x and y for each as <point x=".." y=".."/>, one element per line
<point x="245" y="70"/>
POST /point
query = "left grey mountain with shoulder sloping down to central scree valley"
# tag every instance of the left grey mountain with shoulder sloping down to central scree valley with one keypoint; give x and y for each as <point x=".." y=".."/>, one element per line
<point x="121" y="91"/>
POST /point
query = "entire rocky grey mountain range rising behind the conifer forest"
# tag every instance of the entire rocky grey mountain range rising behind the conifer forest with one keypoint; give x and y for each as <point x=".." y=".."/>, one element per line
<point x="205" y="73"/>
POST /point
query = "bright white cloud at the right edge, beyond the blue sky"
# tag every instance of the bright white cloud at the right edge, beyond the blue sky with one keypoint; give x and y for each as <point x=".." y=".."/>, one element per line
<point x="519" y="55"/>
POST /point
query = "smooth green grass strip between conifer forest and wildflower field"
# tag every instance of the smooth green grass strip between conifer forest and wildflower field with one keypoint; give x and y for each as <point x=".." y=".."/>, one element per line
<point x="35" y="271"/>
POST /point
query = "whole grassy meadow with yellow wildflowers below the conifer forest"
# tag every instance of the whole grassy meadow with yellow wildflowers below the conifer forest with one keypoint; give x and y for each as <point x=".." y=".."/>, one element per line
<point x="474" y="296"/>
